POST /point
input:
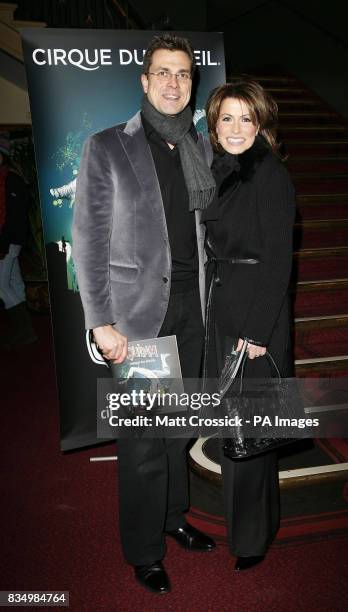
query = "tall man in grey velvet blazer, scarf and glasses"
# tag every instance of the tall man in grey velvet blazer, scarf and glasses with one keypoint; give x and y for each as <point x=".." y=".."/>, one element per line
<point x="138" y="250"/>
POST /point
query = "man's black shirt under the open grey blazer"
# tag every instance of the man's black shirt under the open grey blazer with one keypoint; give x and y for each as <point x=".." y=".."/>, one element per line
<point x="180" y="221"/>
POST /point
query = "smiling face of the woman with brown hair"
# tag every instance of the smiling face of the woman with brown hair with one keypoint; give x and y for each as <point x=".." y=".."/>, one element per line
<point x="235" y="130"/>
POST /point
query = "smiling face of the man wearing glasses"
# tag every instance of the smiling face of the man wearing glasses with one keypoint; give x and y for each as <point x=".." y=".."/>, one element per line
<point x="170" y="96"/>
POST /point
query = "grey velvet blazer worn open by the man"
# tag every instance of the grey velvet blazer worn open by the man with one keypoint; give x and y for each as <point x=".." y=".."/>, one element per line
<point x="120" y="241"/>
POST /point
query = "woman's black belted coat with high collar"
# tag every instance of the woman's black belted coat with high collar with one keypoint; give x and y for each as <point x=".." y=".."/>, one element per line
<point x="252" y="216"/>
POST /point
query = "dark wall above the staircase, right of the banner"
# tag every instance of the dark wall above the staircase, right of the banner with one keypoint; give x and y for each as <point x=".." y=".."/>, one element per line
<point x="274" y="35"/>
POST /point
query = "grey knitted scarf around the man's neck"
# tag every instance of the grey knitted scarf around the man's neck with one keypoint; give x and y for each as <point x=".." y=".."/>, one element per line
<point x="175" y="130"/>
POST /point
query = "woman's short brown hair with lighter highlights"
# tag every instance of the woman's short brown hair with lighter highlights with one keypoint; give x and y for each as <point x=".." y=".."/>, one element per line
<point x="263" y="109"/>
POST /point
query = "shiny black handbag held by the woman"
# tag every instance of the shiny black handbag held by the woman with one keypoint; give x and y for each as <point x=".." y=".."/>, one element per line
<point x="268" y="400"/>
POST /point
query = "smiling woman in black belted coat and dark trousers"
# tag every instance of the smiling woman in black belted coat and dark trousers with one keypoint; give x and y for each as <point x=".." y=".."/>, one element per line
<point x="251" y="219"/>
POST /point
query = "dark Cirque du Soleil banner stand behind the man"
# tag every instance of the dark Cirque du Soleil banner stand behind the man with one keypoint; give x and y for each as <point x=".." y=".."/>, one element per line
<point x="82" y="81"/>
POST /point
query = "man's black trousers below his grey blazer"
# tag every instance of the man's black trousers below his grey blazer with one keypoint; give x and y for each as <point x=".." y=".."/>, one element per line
<point x="153" y="476"/>
